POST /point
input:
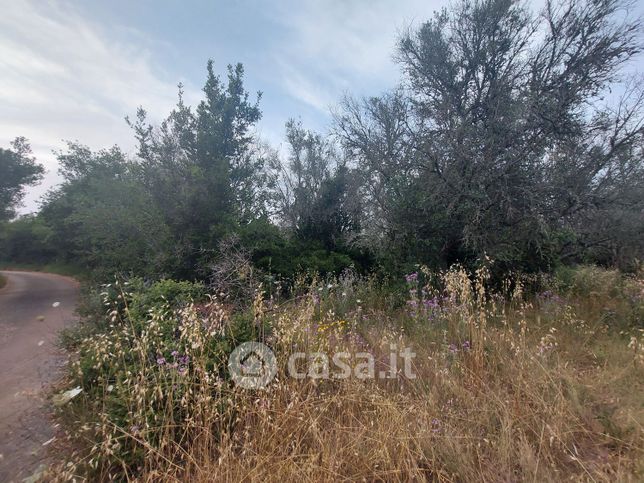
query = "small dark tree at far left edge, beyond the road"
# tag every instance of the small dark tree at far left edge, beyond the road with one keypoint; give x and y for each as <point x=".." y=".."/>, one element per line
<point x="18" y="168"/>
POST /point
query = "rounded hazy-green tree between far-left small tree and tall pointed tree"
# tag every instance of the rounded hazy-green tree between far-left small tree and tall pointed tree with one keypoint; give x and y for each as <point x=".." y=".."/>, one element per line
<point x="101" y="216"/>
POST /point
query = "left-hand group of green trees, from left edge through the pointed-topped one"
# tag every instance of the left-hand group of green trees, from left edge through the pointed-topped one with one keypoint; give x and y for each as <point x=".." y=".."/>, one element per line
<point x="197" y="177"/>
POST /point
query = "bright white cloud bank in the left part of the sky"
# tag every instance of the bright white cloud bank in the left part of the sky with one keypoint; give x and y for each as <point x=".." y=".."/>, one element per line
<point x="66" y="78"/>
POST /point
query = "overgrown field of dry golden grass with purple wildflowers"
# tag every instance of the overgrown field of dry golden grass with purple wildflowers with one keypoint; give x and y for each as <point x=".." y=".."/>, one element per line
<point x="538" y="379"/>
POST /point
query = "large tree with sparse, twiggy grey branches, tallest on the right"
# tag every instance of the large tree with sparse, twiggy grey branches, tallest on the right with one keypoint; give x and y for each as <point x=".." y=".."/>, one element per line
<point x="498" y="134"/>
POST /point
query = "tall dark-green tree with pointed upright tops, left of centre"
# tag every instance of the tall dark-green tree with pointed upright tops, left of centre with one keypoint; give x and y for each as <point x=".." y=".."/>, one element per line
<point x="203" y="168"/>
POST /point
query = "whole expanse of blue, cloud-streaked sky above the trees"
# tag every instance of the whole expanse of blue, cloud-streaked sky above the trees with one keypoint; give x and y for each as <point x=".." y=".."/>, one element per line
<point x="73" y="69"/>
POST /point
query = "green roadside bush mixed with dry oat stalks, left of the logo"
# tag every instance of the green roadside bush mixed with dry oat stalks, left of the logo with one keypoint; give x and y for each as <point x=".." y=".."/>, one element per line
<point x="150" y="351"/>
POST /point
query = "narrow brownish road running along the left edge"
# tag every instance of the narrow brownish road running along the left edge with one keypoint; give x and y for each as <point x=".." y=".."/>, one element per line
<point x="33" y="308"/>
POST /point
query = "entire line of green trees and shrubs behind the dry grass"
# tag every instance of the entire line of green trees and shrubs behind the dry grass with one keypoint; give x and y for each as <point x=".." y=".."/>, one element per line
<point x="498" y="146"/>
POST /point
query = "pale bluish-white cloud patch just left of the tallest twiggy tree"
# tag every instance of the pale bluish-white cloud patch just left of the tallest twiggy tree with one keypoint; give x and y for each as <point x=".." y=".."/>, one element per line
<point x="334" y="46"/>
